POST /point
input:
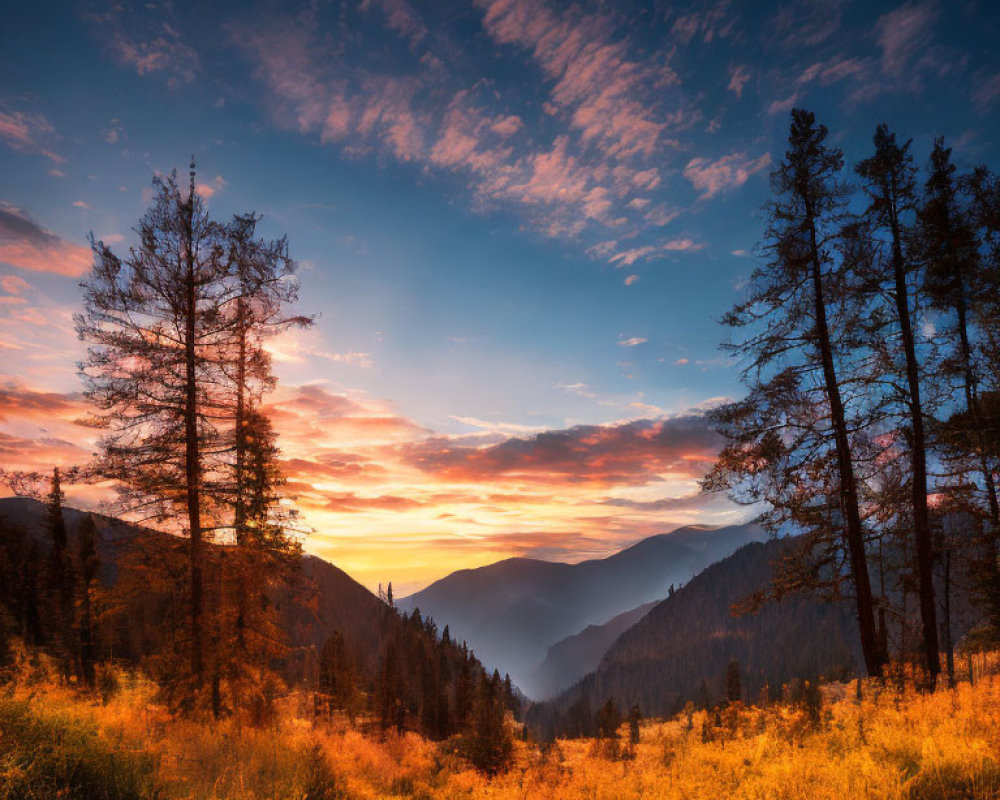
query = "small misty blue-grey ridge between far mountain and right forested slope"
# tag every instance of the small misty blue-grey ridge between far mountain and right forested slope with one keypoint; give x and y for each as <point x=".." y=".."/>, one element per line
<point x="571" y="658"/>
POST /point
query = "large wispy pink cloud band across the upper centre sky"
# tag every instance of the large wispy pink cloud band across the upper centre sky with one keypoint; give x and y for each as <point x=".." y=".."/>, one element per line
<point x="594" y="161"/>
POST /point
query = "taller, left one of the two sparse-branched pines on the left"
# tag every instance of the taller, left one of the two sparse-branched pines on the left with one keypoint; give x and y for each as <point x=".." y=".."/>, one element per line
<point x="152" y="321"/>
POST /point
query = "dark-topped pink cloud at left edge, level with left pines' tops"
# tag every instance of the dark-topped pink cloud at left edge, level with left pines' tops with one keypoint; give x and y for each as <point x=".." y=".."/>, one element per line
<point x="26" y="244"/>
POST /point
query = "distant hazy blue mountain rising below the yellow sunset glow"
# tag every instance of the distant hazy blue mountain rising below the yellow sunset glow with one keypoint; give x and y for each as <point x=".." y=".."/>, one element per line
<point x="511" y="612"/>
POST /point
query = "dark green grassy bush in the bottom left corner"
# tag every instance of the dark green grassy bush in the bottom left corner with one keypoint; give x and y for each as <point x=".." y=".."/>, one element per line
<point x="54" y="755"/>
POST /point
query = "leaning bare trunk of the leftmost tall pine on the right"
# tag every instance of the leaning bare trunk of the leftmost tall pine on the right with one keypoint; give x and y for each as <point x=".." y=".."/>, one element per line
<point x="874" y="657"/>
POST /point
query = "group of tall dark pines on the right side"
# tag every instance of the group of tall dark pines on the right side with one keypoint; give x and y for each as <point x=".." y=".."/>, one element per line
<point x="869" y="343"/>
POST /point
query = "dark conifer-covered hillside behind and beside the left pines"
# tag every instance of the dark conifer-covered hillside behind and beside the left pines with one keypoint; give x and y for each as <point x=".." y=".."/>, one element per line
<point x="384" y="670"/>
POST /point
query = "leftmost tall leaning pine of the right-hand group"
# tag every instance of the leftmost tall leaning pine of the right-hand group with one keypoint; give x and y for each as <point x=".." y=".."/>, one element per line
<point x="790" y="442"/>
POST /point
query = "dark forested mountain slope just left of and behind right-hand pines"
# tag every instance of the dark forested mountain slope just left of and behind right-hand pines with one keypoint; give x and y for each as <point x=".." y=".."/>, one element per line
<point x="679" y="651"/>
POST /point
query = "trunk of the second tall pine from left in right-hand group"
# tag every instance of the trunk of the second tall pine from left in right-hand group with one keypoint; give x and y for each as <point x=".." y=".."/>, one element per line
<point x="921" y="522"/>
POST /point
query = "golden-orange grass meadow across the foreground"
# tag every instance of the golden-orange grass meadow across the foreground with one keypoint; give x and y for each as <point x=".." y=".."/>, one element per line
<point x="921" y="747"/>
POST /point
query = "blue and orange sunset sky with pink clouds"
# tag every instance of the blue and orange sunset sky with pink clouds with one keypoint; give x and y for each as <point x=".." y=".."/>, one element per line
<point x="518" y="223"/>
